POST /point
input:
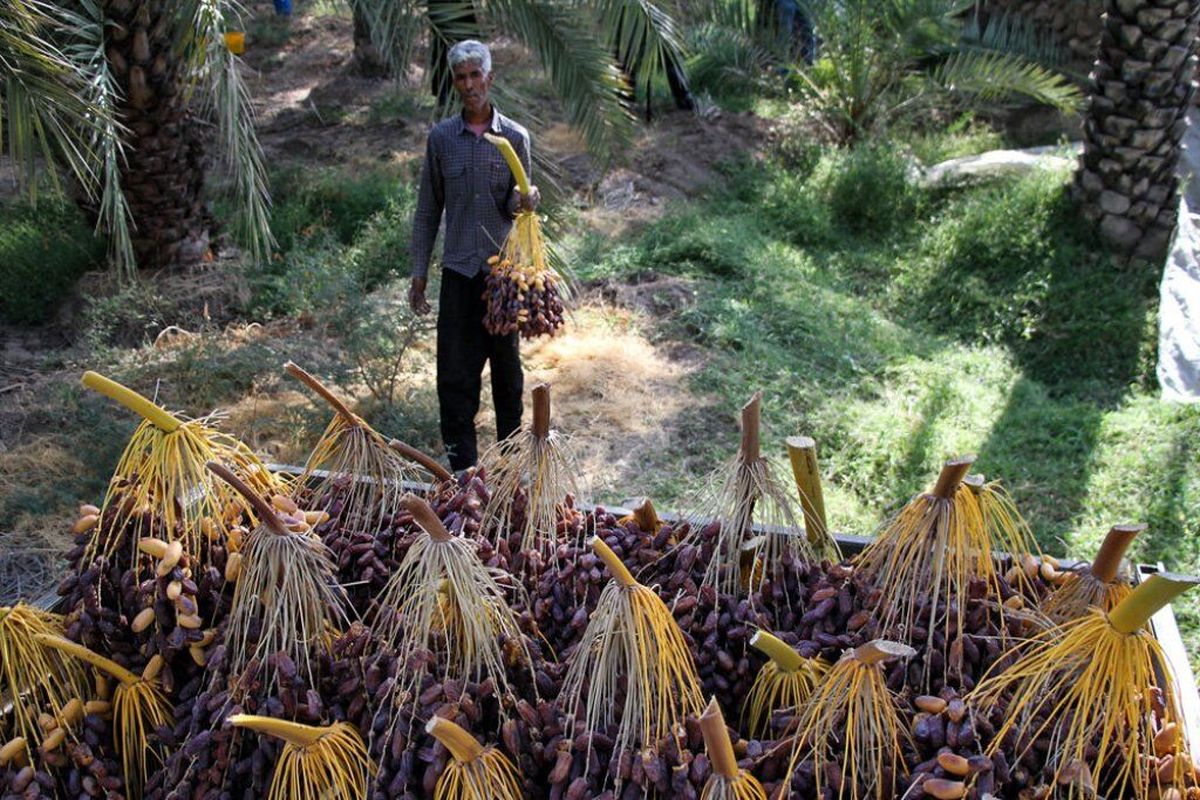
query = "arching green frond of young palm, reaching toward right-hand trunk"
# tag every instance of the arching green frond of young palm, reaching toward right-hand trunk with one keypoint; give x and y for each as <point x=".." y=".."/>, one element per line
<point x="993" y="77"/>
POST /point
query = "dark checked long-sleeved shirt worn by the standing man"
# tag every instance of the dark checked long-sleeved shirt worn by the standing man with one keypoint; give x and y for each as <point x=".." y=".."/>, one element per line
<point x="466" y="177"/>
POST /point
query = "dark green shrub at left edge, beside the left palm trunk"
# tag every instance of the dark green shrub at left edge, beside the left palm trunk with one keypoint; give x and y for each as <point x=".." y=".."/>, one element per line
<point x="44" y="251"/>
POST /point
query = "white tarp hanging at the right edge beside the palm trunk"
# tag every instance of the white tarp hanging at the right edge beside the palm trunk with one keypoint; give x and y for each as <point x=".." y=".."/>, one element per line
<point x="1179" y="315"/>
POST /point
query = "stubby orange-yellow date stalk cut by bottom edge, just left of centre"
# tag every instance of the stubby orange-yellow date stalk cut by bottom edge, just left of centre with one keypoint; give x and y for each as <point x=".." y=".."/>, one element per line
<point x="475" y="773"/>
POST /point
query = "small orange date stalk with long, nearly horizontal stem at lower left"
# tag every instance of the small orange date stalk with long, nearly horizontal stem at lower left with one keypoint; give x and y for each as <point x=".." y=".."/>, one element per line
<point x="139" y="707"/>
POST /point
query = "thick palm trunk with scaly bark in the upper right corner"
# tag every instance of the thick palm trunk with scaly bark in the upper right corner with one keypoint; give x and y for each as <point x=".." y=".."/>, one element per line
<point x="1142" y="91"/>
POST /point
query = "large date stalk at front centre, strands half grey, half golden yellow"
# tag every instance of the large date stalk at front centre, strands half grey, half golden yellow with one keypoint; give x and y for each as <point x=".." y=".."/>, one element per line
<point x="633" y="645"/>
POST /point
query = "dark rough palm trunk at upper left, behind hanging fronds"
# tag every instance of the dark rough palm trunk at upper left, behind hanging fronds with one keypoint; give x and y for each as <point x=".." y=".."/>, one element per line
<point x="166" y="148"/>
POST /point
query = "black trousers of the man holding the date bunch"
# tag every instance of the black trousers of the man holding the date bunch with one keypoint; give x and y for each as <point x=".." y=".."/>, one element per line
<point x="464" y="348"/>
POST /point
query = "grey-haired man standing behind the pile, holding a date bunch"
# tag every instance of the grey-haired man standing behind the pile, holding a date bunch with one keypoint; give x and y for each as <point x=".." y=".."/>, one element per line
<point x="466" y="178"/>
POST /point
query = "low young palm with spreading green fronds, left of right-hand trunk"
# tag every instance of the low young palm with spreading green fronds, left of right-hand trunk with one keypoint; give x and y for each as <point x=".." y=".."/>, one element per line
<point x="880" y="61"/>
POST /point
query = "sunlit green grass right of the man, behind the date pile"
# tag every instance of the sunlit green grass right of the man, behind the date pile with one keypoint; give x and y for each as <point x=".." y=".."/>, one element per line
<point x="901" y="328"/>
